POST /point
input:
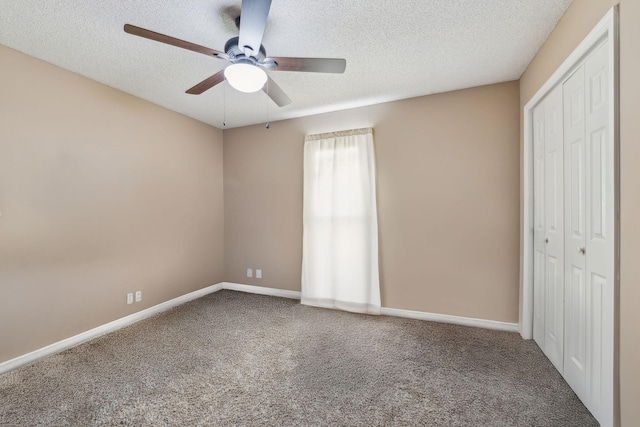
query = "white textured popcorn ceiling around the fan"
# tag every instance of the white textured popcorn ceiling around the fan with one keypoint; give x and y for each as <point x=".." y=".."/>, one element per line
<point x="395" y="49"/>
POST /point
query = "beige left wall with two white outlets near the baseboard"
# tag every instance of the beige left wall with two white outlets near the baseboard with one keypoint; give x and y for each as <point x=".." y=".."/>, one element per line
<point x="101" y="194"/>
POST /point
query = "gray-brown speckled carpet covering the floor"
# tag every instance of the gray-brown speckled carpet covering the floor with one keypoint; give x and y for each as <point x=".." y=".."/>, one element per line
<point x="250" y="360"/>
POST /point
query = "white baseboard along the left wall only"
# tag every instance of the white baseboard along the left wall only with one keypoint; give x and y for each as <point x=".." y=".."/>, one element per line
<point x="104" y="329"/>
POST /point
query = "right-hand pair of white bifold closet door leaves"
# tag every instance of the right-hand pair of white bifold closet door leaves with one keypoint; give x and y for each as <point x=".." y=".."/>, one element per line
<point x="589" y="247"/>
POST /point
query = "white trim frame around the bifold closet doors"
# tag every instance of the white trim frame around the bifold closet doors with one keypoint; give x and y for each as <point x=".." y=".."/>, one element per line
<point x="607" y="29"/>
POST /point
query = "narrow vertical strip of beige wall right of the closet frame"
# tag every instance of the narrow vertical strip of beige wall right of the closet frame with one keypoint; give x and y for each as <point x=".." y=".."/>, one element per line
<point x="629" y="212"/>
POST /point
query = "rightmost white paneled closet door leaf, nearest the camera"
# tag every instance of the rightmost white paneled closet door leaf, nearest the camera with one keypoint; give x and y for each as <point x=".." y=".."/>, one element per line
<point x="599" y="220"/>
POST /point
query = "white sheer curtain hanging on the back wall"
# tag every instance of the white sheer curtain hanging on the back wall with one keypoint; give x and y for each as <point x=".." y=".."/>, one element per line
<point x="340" y="238"/>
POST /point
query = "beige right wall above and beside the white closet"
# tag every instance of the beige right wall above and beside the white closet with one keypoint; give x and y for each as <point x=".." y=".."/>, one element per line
<point x="579" y="19"/>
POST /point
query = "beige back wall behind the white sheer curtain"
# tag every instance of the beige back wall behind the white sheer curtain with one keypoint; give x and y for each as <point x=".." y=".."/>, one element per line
<point x="447" y="200"/>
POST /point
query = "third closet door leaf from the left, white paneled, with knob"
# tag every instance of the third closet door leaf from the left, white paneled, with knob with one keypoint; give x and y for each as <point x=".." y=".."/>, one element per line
<point x="575" y="361"/>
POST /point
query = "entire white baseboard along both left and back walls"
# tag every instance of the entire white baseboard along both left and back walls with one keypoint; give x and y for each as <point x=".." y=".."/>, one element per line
<point x="283" y="293"/>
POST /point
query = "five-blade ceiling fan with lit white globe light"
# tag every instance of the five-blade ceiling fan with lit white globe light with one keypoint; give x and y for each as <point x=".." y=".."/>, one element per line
<point x="247" y="56"/>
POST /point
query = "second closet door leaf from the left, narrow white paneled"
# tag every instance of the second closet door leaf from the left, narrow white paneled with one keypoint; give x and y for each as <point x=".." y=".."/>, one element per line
<point x="554" y="229"/>
